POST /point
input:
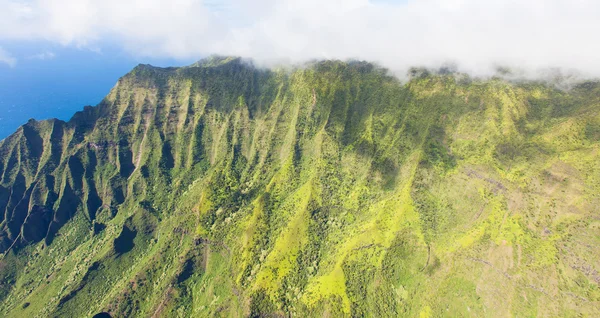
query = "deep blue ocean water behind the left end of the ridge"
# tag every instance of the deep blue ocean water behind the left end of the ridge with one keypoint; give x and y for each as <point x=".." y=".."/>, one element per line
<point x="60" y="85"/>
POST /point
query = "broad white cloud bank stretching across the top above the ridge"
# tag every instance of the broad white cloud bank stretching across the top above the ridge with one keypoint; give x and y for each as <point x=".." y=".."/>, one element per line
<point x="476" y="35"/>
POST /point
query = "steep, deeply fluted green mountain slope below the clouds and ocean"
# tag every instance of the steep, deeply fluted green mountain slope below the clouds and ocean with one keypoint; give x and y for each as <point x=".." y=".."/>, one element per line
<point x="333" y="190"/>
